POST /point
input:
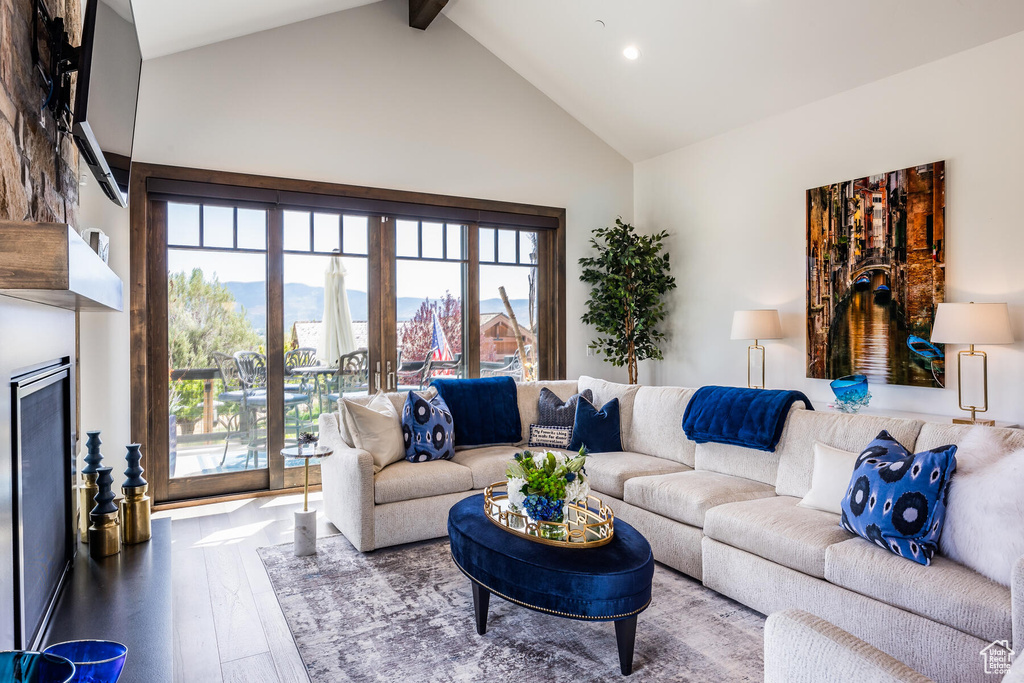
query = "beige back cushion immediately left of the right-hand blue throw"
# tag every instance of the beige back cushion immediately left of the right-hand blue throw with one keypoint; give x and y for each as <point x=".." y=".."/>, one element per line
<point x="658" y="424"/>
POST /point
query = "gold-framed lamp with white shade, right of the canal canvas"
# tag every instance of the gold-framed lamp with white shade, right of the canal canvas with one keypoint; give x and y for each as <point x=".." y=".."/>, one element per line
<point x="972" y="324"/>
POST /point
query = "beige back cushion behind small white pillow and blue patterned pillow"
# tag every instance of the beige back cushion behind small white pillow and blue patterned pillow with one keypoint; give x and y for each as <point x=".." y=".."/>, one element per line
<point x="848" y="433"/>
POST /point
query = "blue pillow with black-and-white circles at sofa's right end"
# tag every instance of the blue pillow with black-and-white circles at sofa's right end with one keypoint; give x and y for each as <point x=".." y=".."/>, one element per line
<point x="898" y="499"/>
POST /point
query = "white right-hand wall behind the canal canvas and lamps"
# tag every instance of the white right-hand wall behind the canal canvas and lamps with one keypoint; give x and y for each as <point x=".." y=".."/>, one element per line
<point x="735" y="205"/>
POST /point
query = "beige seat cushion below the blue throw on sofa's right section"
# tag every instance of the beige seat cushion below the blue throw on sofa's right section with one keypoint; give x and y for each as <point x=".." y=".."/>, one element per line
<point x="687" y="497"/>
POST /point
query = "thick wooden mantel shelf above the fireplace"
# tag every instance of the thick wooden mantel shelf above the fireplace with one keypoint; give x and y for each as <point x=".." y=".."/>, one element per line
<point x="50" y="264"/>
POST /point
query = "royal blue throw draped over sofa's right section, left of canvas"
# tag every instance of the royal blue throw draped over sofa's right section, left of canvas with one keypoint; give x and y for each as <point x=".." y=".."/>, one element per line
<point x="752" y="418"/>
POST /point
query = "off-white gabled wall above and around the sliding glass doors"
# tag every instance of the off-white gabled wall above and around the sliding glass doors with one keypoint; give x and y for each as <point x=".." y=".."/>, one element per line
<point x="357" y="98"/>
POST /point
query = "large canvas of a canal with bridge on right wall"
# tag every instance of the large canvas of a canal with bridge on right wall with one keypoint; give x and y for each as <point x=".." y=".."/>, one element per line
<point x="876" y="274"/>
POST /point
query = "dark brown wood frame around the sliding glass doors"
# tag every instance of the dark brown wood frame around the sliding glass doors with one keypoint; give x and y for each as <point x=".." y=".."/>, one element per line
<point x="154" y="186"/>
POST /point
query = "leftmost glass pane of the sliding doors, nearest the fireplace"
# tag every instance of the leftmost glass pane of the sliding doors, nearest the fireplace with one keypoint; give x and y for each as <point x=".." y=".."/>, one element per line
<point x="217" y="333"/>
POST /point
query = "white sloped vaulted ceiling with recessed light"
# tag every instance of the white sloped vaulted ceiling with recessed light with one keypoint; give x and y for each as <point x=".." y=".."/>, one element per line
<point x="706" y="66"/>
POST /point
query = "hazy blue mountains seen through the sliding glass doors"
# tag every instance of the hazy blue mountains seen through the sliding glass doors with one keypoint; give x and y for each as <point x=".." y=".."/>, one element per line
<point x="304" y="303"/>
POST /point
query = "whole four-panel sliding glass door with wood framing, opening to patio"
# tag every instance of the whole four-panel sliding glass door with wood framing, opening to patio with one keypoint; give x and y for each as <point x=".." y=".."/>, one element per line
<point x="267" y="310"/>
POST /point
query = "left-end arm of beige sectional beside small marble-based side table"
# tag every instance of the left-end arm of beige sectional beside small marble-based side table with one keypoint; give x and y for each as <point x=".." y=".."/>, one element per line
<point x="348" y="479"/>
